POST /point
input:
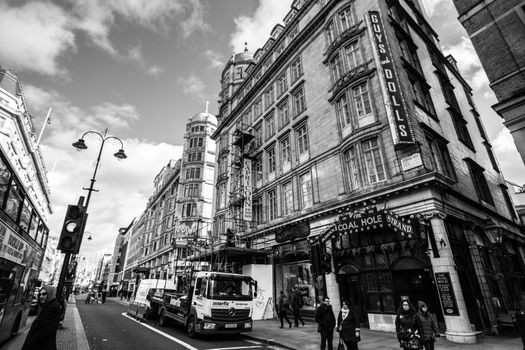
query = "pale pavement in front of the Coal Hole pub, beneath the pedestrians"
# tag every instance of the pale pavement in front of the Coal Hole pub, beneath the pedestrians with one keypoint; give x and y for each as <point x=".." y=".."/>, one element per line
<point x="307" y="338"/>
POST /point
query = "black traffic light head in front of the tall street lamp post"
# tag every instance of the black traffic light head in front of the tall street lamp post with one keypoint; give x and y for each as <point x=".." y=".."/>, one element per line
<point x="72" y="229"/>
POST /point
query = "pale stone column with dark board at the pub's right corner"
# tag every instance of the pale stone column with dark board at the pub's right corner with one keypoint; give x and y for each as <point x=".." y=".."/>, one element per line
<point x="458" y="327"/>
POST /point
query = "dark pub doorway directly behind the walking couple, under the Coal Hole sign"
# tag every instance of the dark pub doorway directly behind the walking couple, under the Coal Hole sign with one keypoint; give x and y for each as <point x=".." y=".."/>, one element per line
<point x="350" y="290"/>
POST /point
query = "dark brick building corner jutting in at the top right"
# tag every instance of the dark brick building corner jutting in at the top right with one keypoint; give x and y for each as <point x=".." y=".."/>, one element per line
<point x="497" y="31"/>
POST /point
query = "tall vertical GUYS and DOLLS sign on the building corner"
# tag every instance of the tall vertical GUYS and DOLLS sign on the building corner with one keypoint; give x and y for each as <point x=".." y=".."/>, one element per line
<point x="398" y="116"/>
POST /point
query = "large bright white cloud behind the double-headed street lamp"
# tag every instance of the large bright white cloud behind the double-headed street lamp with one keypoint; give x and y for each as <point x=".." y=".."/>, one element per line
<point x="124" y="186"/>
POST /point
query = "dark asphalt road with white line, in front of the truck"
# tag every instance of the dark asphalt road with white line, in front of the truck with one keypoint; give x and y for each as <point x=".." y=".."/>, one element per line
<point x="108" y="327"/>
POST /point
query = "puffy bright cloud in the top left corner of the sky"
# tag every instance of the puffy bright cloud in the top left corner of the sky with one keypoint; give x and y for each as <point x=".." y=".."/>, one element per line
<point x="34" y="36"/>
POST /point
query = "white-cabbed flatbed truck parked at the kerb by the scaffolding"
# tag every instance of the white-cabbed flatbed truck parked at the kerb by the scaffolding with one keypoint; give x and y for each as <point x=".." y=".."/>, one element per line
<point x="206" y="302"/>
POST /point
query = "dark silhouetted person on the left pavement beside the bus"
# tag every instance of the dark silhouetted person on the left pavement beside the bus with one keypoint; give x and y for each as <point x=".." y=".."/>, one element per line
<point x="43" y="332"/>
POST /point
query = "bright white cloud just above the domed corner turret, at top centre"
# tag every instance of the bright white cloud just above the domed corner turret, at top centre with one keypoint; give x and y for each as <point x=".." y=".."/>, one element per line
<point x="255" y="29"/>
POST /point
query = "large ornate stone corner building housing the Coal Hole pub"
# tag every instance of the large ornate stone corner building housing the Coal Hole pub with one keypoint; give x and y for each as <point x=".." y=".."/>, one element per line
<point x="350" y="150"/>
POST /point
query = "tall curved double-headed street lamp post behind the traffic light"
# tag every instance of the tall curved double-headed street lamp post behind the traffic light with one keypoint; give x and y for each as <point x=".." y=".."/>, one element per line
<point x="81" y="145"/>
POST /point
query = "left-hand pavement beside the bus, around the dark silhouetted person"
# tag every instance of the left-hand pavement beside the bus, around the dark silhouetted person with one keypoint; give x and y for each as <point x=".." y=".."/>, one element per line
<point x="70" y="337"/>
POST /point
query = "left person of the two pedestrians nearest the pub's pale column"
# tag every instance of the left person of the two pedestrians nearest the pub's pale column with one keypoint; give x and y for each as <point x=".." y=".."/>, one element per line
<point x="407" y="327"/>
